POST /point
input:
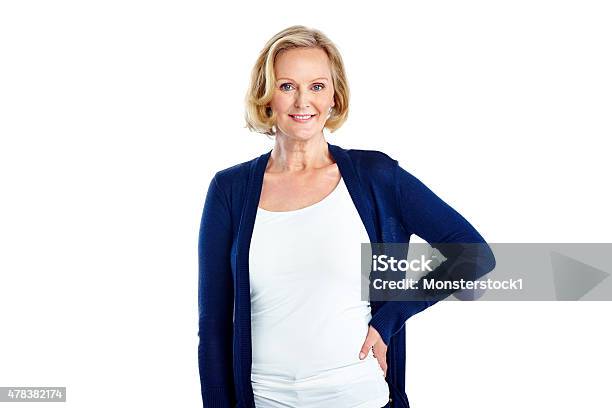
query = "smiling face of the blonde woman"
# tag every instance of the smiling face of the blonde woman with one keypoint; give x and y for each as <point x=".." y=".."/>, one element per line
<point x="303" y="87"/>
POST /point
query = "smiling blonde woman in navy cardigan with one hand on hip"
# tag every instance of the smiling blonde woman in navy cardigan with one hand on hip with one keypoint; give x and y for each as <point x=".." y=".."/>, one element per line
<point x="282" y="323"/>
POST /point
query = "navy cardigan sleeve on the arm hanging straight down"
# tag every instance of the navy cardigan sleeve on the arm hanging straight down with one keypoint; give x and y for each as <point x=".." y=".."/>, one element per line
<point x="215" y="301"/>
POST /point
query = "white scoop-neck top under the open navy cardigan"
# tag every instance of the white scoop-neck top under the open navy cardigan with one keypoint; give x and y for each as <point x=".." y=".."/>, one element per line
<point x="308" y="321"/>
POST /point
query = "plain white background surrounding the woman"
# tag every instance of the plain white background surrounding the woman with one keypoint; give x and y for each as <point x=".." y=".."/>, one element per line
<point x="114" y="115"/>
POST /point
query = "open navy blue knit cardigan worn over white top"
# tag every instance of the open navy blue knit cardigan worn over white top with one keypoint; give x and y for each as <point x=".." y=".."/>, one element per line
<point x="393" y="205"/>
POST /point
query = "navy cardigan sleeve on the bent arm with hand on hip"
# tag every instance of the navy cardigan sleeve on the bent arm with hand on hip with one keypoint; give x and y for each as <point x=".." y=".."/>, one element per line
<point x="423" y="213"/>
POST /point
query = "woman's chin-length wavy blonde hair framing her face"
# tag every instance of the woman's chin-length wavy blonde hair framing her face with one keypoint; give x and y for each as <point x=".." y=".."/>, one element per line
<point x="260" y="118"/>
